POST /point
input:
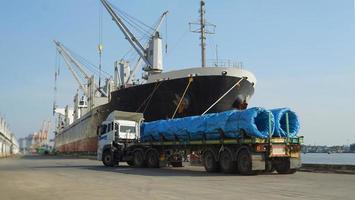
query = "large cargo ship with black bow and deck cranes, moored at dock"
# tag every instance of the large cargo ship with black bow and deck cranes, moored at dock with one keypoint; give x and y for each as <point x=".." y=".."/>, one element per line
<point x="161" y="95"/>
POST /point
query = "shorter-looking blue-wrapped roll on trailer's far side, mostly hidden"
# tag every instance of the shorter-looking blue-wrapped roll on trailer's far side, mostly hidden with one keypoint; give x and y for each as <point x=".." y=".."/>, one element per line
<point x="280" y="122"/>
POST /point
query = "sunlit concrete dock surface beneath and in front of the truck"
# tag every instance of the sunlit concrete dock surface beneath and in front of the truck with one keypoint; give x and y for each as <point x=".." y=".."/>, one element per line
<point x="36" y="178"/>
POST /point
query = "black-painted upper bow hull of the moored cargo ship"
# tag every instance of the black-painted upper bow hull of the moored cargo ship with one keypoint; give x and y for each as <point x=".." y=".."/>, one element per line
<point x="159" y="100"/>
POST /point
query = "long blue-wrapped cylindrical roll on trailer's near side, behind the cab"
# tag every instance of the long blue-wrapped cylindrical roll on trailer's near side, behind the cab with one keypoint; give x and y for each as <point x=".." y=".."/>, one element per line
<point x="254" y="122"/>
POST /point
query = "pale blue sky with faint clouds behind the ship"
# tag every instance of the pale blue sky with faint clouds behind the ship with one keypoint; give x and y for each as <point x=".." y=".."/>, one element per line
<point x="301" y="52"/>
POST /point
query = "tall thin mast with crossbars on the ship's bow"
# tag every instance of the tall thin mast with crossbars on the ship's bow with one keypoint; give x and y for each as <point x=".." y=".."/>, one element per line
<point x="202" y="29"/>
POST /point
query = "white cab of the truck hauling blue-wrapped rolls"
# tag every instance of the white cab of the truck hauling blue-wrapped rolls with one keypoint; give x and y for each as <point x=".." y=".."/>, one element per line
<point x="118" y="130"/>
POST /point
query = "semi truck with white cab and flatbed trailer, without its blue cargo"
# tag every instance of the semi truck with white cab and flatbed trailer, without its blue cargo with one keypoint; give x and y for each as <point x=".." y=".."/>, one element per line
<point x="119" y="140"/>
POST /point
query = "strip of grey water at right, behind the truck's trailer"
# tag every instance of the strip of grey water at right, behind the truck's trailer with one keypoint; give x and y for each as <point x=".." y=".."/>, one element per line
<point x="324" y="158"/>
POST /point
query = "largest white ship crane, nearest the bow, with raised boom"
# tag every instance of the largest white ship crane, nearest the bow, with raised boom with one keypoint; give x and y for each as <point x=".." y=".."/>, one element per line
<point x="152" y="54"/>
